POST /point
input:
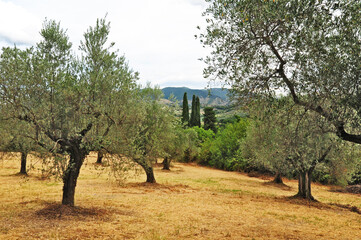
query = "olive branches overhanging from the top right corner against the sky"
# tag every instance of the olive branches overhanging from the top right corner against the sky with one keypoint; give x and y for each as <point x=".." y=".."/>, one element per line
<point x="309" y="49"/>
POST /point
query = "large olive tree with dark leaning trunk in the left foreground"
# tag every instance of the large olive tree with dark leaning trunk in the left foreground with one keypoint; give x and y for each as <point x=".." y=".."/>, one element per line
<point x="71" y="103"/>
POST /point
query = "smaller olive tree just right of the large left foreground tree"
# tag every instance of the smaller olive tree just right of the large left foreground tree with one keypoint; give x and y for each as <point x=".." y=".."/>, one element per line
<point x="147" y="134"/>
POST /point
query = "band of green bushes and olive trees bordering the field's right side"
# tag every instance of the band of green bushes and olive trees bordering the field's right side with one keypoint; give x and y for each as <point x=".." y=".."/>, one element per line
<point x="281" y="139"/>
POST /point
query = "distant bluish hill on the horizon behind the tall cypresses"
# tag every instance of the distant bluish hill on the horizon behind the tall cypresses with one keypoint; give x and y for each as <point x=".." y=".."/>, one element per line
<point x="212" y="97"/>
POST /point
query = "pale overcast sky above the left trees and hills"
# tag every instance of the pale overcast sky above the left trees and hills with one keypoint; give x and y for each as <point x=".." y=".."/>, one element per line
<point x="156" y="36"/>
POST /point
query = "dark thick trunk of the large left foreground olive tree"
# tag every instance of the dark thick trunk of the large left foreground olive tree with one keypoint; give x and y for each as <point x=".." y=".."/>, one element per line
<point x="71" y="174"/>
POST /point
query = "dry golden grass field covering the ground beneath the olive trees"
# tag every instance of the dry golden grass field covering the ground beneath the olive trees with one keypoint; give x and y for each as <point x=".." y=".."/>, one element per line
<point x="189" y="202"/>
